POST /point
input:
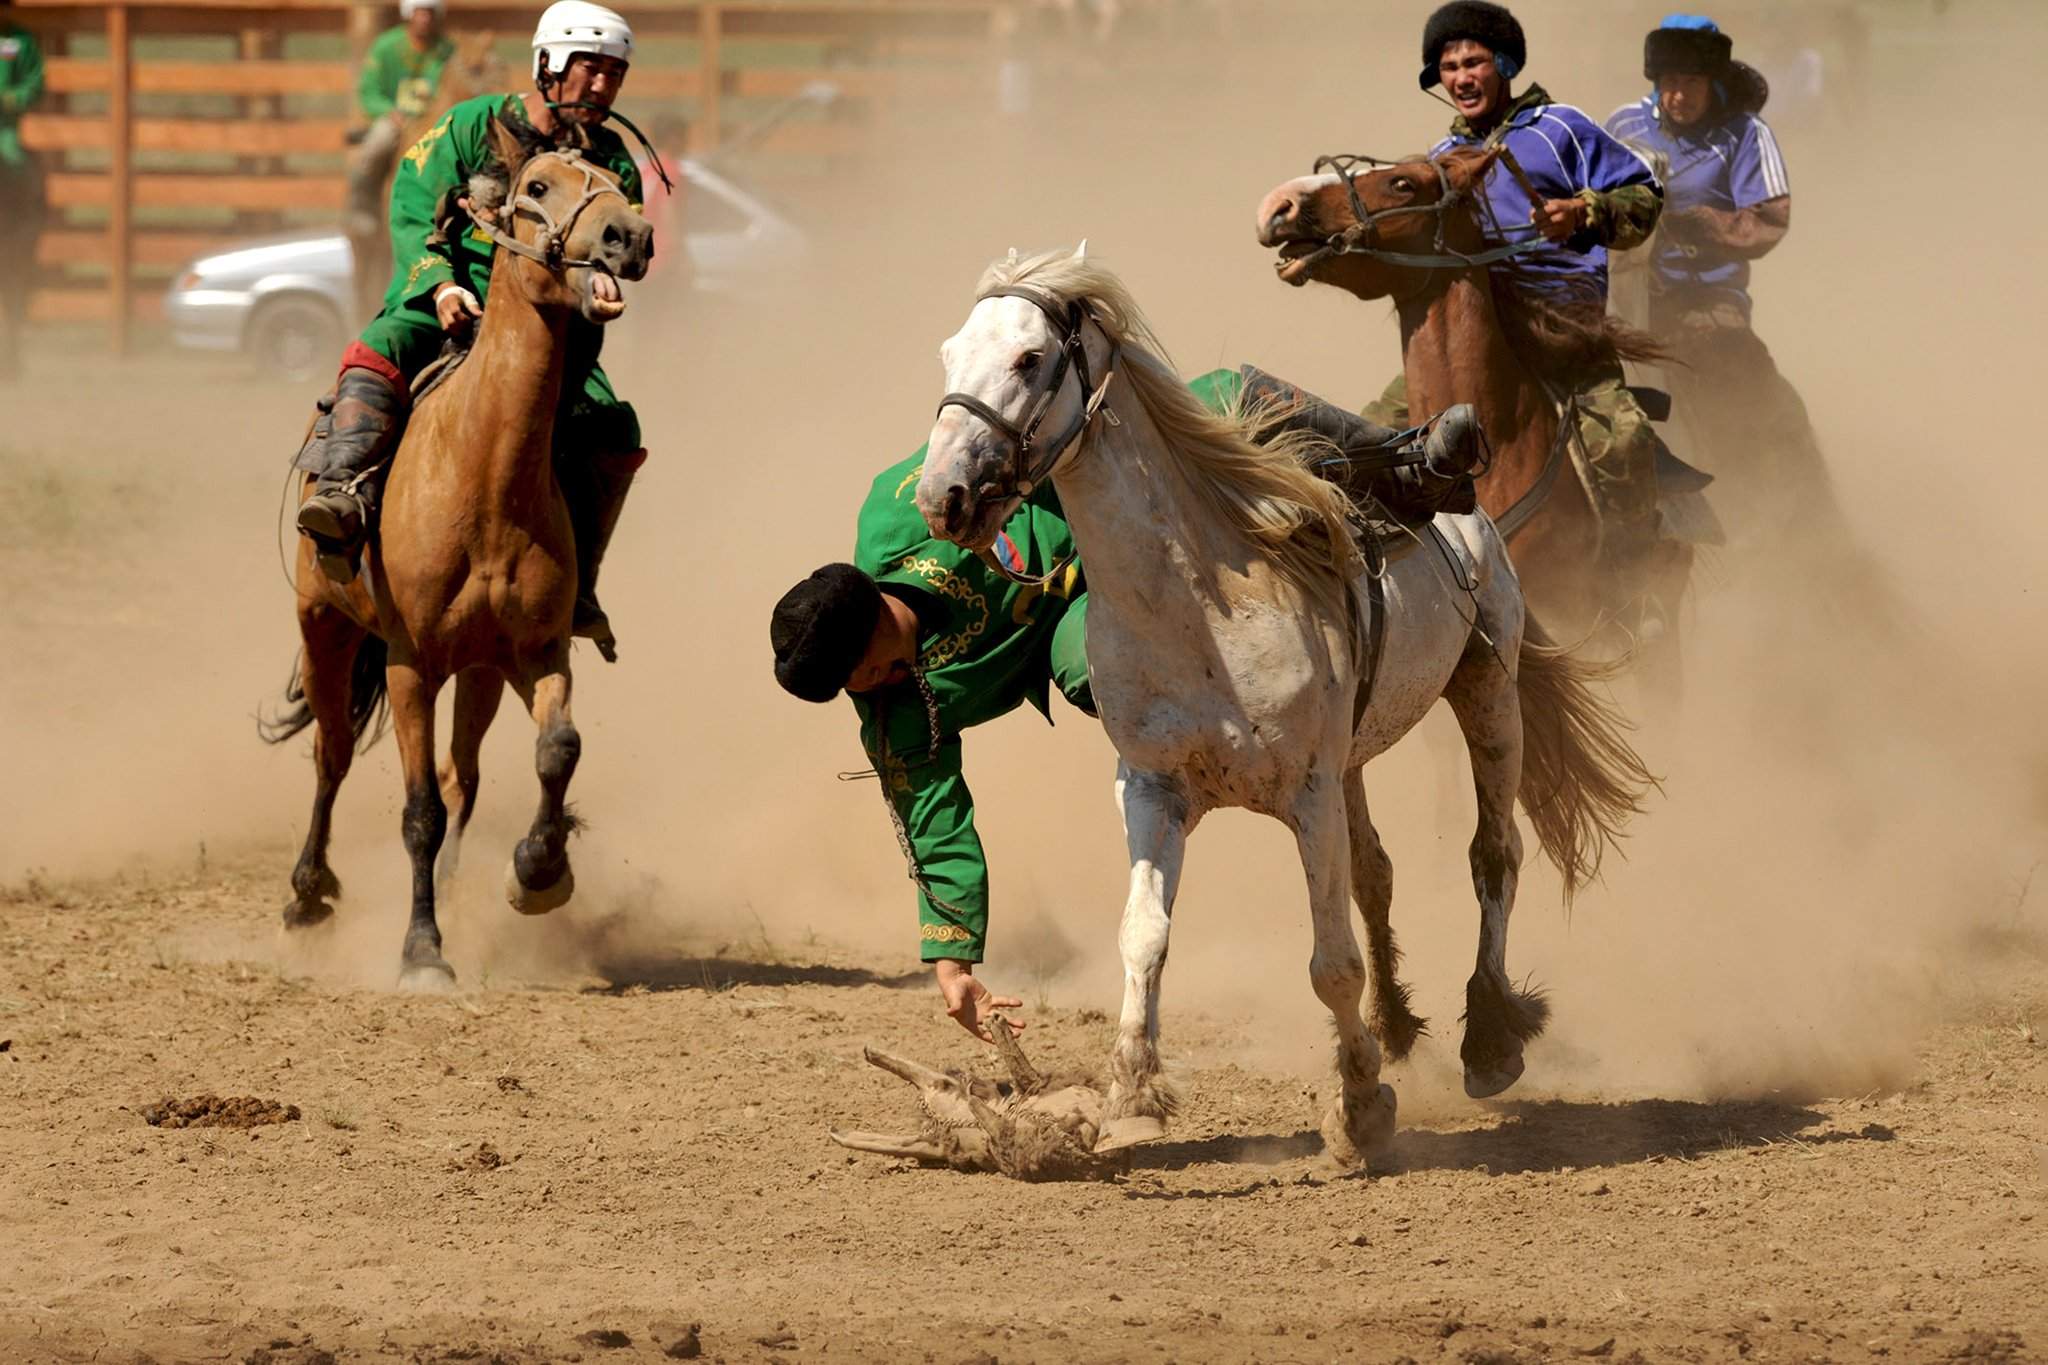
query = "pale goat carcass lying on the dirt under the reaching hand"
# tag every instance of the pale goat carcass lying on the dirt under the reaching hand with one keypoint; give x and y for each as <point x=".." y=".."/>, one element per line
<point x="1031" y="1127"/>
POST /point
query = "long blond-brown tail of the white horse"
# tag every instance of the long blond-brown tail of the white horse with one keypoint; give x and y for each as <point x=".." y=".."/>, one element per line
<point x="1580" y="777"/>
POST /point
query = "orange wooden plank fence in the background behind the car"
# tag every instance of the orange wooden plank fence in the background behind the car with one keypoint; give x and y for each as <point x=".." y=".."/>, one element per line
<point x="177" y="126"/>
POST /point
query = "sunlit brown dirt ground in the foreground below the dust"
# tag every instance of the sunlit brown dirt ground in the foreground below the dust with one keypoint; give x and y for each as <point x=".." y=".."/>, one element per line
<point x="503" y="1174"/>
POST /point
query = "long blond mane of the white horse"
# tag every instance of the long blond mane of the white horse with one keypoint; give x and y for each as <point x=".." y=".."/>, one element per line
<point x="1267" y="494"/>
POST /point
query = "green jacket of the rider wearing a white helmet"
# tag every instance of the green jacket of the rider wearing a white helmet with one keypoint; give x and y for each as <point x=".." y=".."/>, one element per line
<point x="441" y="165"/>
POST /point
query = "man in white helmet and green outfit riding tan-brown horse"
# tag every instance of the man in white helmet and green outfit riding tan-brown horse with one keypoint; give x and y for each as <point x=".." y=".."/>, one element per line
<point x="439" y="285"/>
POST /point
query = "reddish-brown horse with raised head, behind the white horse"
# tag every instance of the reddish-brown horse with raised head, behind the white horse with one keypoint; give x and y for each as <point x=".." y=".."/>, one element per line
<point x="1469" y="341"/>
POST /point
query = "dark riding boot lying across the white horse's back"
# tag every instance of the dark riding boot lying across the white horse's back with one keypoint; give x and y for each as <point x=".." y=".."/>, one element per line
<point x="1418" y="478"/>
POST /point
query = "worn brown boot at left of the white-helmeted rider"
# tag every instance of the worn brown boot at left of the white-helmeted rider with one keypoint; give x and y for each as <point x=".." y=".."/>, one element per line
<point x="351" y="439"/>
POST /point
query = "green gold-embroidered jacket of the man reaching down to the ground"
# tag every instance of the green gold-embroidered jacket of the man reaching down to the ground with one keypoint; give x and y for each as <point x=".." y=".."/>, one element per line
<point x="986" y="648"/>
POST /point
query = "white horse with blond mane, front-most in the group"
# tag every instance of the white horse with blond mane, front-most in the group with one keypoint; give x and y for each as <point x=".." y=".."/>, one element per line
<point x="1244" y="658"/>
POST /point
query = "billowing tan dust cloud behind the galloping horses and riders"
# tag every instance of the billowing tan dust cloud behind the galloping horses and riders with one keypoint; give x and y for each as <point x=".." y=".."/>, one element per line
<point x="1848" y="816"/>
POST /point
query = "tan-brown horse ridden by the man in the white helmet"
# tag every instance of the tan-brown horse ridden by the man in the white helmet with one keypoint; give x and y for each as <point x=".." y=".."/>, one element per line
<point x="472" y="576"/>
